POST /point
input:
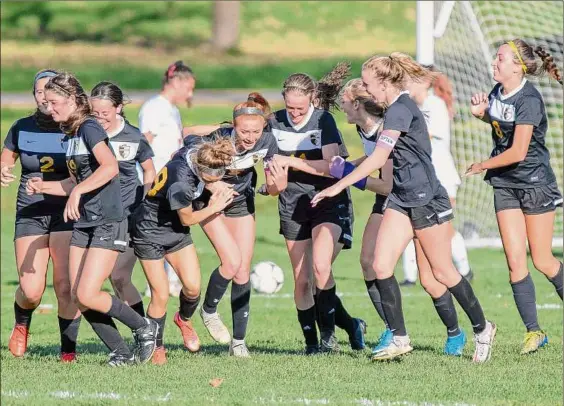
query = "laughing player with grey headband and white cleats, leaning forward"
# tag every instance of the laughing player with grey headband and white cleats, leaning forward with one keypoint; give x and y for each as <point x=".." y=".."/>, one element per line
<point x="232" y="232"/>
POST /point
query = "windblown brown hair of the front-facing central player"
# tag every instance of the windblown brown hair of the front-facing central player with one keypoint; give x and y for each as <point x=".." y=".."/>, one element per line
<point x="325" y="92"/>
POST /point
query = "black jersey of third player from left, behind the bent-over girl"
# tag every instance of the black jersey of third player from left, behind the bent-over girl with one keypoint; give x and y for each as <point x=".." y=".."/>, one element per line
<point x="130" y="147"/>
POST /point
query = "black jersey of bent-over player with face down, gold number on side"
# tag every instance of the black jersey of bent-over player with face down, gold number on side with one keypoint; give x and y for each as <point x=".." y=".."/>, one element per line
<point x="174" y="188"/>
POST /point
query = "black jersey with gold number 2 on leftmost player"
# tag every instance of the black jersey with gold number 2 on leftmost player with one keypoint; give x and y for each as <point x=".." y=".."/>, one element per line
<point x="42" y="154"/>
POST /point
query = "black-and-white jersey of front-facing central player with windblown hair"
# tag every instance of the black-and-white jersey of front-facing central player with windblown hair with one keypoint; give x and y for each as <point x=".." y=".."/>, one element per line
<point x="305" y="141"/>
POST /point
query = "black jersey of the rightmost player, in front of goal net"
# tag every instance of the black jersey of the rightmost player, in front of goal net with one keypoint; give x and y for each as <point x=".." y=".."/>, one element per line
<point x="524" y="105"/>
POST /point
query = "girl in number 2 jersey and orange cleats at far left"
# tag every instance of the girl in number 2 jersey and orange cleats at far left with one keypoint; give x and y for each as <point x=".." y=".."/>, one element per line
<point x="40" y="231"/>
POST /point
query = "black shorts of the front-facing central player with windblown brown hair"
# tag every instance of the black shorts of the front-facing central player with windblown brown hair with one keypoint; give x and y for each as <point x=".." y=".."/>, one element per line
<point x="299" y="231"/>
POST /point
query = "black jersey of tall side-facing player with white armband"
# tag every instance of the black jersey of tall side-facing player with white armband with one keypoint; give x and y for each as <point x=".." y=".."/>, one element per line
<point x="415" y="181"/>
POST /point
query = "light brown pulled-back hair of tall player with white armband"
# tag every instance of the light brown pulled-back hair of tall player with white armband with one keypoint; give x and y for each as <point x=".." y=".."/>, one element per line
<point x="397" y="69"/>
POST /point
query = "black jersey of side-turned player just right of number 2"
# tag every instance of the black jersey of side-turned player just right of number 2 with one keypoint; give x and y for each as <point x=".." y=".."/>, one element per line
<point x="102" y="205"/>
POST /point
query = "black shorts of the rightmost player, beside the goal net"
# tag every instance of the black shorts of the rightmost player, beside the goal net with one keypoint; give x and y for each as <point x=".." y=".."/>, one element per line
<point x="538" y="200"/>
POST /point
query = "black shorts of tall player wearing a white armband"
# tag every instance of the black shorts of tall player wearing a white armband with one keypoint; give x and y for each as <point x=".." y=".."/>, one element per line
<point x="437" y="211"/>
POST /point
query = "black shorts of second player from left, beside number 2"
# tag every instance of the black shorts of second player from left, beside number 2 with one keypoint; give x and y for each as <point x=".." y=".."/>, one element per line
<point x="112" y="236"/>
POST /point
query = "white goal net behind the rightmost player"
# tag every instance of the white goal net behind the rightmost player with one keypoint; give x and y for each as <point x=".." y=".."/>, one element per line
<point x="467" y="35"/>
